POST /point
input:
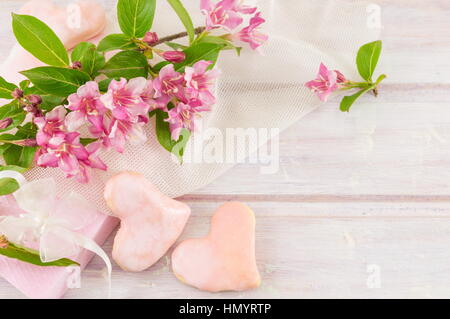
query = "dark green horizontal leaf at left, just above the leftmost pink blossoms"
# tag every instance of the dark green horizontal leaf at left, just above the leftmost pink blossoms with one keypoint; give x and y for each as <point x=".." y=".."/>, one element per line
<point x="56" y="81"/>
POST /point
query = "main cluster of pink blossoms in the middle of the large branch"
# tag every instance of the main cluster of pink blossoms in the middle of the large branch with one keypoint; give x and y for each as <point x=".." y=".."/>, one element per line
<point x="119" y="116"/>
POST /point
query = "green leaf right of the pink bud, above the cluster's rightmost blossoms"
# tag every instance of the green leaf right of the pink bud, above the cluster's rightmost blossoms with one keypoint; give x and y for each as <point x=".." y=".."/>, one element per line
<point x="198" y="52"/>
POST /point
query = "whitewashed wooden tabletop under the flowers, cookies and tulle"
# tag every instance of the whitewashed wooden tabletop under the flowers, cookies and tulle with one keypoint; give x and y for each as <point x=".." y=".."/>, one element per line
<point x="361" y="204"/>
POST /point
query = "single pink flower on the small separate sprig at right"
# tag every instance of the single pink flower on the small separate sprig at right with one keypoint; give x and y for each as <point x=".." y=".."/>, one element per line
<point x="326" y="83"/>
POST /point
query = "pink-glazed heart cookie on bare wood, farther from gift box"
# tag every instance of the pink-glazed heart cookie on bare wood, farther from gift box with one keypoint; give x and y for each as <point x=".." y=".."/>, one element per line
<point x="225" y="259"/>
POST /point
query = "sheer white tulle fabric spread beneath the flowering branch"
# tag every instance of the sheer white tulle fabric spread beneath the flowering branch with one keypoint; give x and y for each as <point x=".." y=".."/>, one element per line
<point x="254" y="91"/>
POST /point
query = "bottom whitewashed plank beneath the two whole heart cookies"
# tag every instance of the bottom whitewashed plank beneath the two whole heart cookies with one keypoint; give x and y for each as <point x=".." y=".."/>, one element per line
<point x="308" y="250"/>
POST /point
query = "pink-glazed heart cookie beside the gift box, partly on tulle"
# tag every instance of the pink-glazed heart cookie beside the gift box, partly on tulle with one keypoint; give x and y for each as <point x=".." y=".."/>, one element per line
<point x="151" y="222"/>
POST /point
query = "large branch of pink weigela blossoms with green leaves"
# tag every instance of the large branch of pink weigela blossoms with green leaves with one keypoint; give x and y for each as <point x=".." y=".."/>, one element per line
<point x="92" y="102"/>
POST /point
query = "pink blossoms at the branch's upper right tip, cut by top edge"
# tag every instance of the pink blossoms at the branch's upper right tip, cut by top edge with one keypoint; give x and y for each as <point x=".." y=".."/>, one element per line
<point x="229" y="14"/>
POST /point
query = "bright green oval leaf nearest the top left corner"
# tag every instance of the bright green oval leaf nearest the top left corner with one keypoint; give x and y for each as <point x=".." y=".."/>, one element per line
<point x="38" y="39"/>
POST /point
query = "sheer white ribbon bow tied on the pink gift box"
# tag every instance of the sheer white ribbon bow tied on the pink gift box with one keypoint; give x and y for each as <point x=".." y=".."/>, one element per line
<point x="51" y="221"/>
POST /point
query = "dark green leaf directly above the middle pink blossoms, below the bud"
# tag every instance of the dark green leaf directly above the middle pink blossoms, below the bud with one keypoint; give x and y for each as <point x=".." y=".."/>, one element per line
<point x="126" y="64"/>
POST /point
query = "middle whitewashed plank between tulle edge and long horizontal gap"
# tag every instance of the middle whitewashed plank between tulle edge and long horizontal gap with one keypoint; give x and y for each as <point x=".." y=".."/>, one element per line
<point x="377" y="149"/>
